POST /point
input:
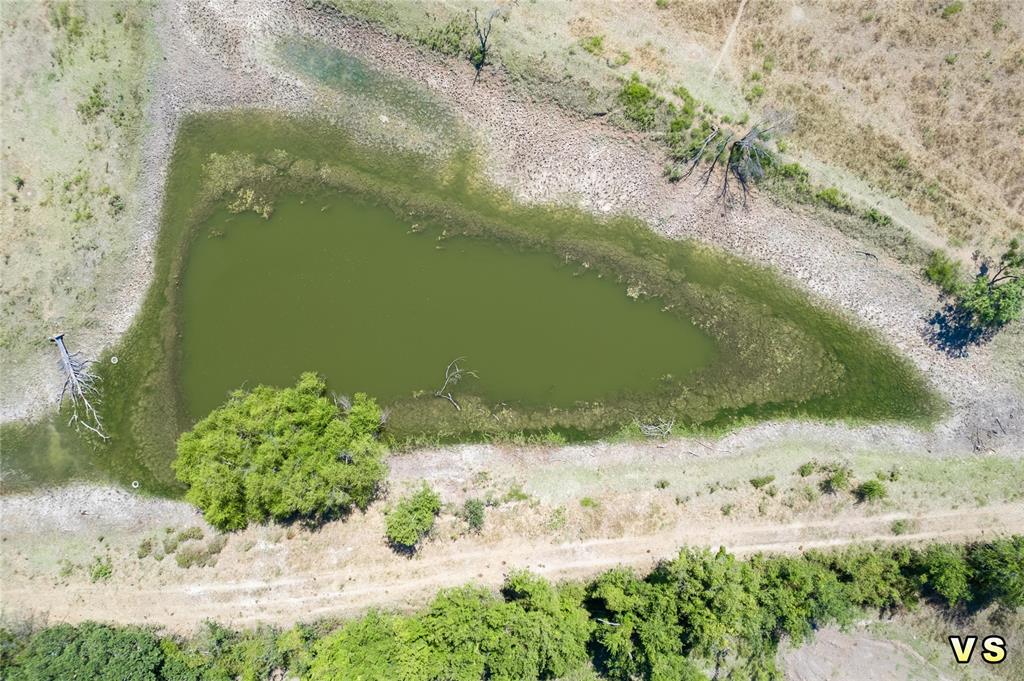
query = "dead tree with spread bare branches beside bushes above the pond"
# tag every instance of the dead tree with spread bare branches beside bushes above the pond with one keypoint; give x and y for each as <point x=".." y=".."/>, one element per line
<point x="744" y="160"/>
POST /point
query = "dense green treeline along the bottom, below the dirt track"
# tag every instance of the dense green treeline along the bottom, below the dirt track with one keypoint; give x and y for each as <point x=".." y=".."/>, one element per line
<point x="688" y="619"/>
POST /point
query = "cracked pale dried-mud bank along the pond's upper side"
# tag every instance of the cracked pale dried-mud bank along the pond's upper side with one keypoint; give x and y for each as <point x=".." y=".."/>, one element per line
<point x="214" y="63"/>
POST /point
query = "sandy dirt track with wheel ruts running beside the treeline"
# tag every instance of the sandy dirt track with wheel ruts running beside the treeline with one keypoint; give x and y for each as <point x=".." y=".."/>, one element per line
<point x="337" y="580"/>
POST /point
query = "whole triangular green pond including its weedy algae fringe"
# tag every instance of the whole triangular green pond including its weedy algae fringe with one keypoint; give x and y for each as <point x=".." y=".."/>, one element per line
<point x="292" y="245"/>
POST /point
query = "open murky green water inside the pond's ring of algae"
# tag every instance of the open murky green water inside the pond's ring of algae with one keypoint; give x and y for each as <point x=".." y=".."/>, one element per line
<point x="347" y="288"/>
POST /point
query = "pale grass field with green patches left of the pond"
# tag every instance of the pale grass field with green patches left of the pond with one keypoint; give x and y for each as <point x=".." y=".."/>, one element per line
<point x="73" y="115"/>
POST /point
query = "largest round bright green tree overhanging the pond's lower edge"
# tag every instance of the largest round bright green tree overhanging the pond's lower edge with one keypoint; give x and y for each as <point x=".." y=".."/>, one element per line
<point x="282" y="455"/>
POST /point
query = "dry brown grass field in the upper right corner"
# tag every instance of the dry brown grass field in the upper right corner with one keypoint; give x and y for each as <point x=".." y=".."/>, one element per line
<point x="925" y="108"/>
